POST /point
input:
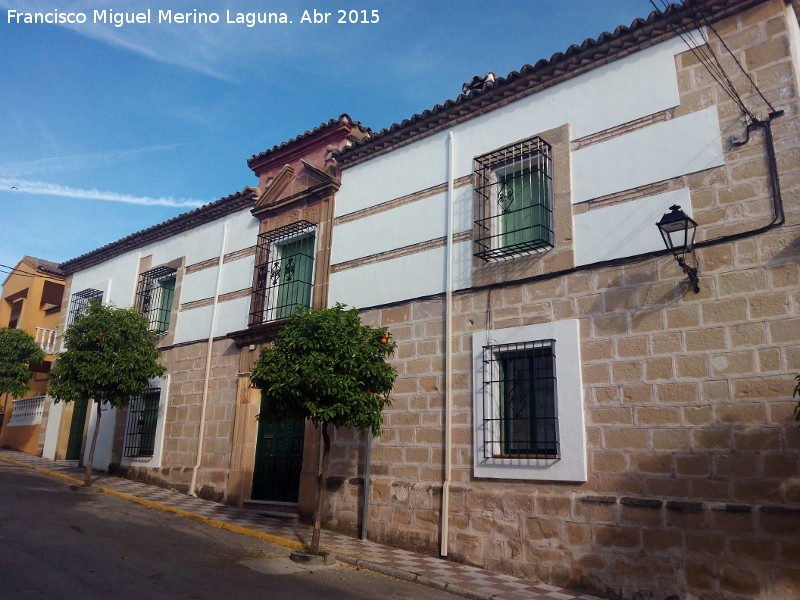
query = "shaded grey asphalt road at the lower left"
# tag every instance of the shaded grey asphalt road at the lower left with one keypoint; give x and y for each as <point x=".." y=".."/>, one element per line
<point x="62" y="542"/>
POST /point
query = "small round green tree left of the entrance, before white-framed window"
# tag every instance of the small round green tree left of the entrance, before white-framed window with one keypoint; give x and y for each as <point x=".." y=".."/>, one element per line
<point x="110" y="356"/>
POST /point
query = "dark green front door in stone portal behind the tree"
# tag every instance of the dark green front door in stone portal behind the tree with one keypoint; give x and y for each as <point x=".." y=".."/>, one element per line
<point x="279" y="459"/>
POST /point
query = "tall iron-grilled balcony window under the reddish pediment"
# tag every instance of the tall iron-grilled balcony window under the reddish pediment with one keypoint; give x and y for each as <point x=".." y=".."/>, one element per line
<point x="284" y="272"/>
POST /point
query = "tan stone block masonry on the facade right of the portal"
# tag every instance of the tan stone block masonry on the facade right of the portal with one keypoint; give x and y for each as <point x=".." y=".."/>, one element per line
<point x="693" y="452"/>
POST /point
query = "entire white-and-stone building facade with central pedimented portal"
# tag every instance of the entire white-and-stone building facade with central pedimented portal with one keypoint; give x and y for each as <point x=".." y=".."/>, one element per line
<point x="568" y="408"/>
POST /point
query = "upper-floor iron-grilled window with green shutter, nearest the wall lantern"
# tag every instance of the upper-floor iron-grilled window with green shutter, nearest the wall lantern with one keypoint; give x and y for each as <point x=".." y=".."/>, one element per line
<point x="513" y="193"/>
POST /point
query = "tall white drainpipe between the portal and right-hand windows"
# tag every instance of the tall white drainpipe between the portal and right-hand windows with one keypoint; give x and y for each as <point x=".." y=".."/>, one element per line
<point x="448" y="334"/>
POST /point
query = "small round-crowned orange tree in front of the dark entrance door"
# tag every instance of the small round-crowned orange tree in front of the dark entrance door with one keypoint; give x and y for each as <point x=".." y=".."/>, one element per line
<point x="328" y="368"/>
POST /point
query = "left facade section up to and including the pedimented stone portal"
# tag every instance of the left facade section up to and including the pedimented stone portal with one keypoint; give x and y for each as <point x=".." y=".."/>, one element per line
<point x="215" y="285"/>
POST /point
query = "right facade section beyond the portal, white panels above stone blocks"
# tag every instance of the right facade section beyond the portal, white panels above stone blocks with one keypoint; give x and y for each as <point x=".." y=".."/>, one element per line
<point x="568" y="408"/>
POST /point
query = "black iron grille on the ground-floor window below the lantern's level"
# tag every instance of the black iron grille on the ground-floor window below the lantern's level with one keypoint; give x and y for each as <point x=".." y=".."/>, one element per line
<point x="519" y="401"/>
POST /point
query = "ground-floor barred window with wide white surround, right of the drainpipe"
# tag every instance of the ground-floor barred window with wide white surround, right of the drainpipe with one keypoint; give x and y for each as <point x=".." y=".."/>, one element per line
<point x="528" y="403"/>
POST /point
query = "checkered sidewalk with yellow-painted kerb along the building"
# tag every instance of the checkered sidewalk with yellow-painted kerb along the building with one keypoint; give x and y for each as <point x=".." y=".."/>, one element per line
<point x="471" y="582"/>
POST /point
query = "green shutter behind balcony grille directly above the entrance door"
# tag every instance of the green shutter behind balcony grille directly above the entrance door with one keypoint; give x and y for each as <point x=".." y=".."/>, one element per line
<point x="297" y="268"/>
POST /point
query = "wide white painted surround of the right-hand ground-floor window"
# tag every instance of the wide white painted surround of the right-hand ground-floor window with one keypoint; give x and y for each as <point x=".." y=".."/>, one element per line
<point x="571" y="464"/>
